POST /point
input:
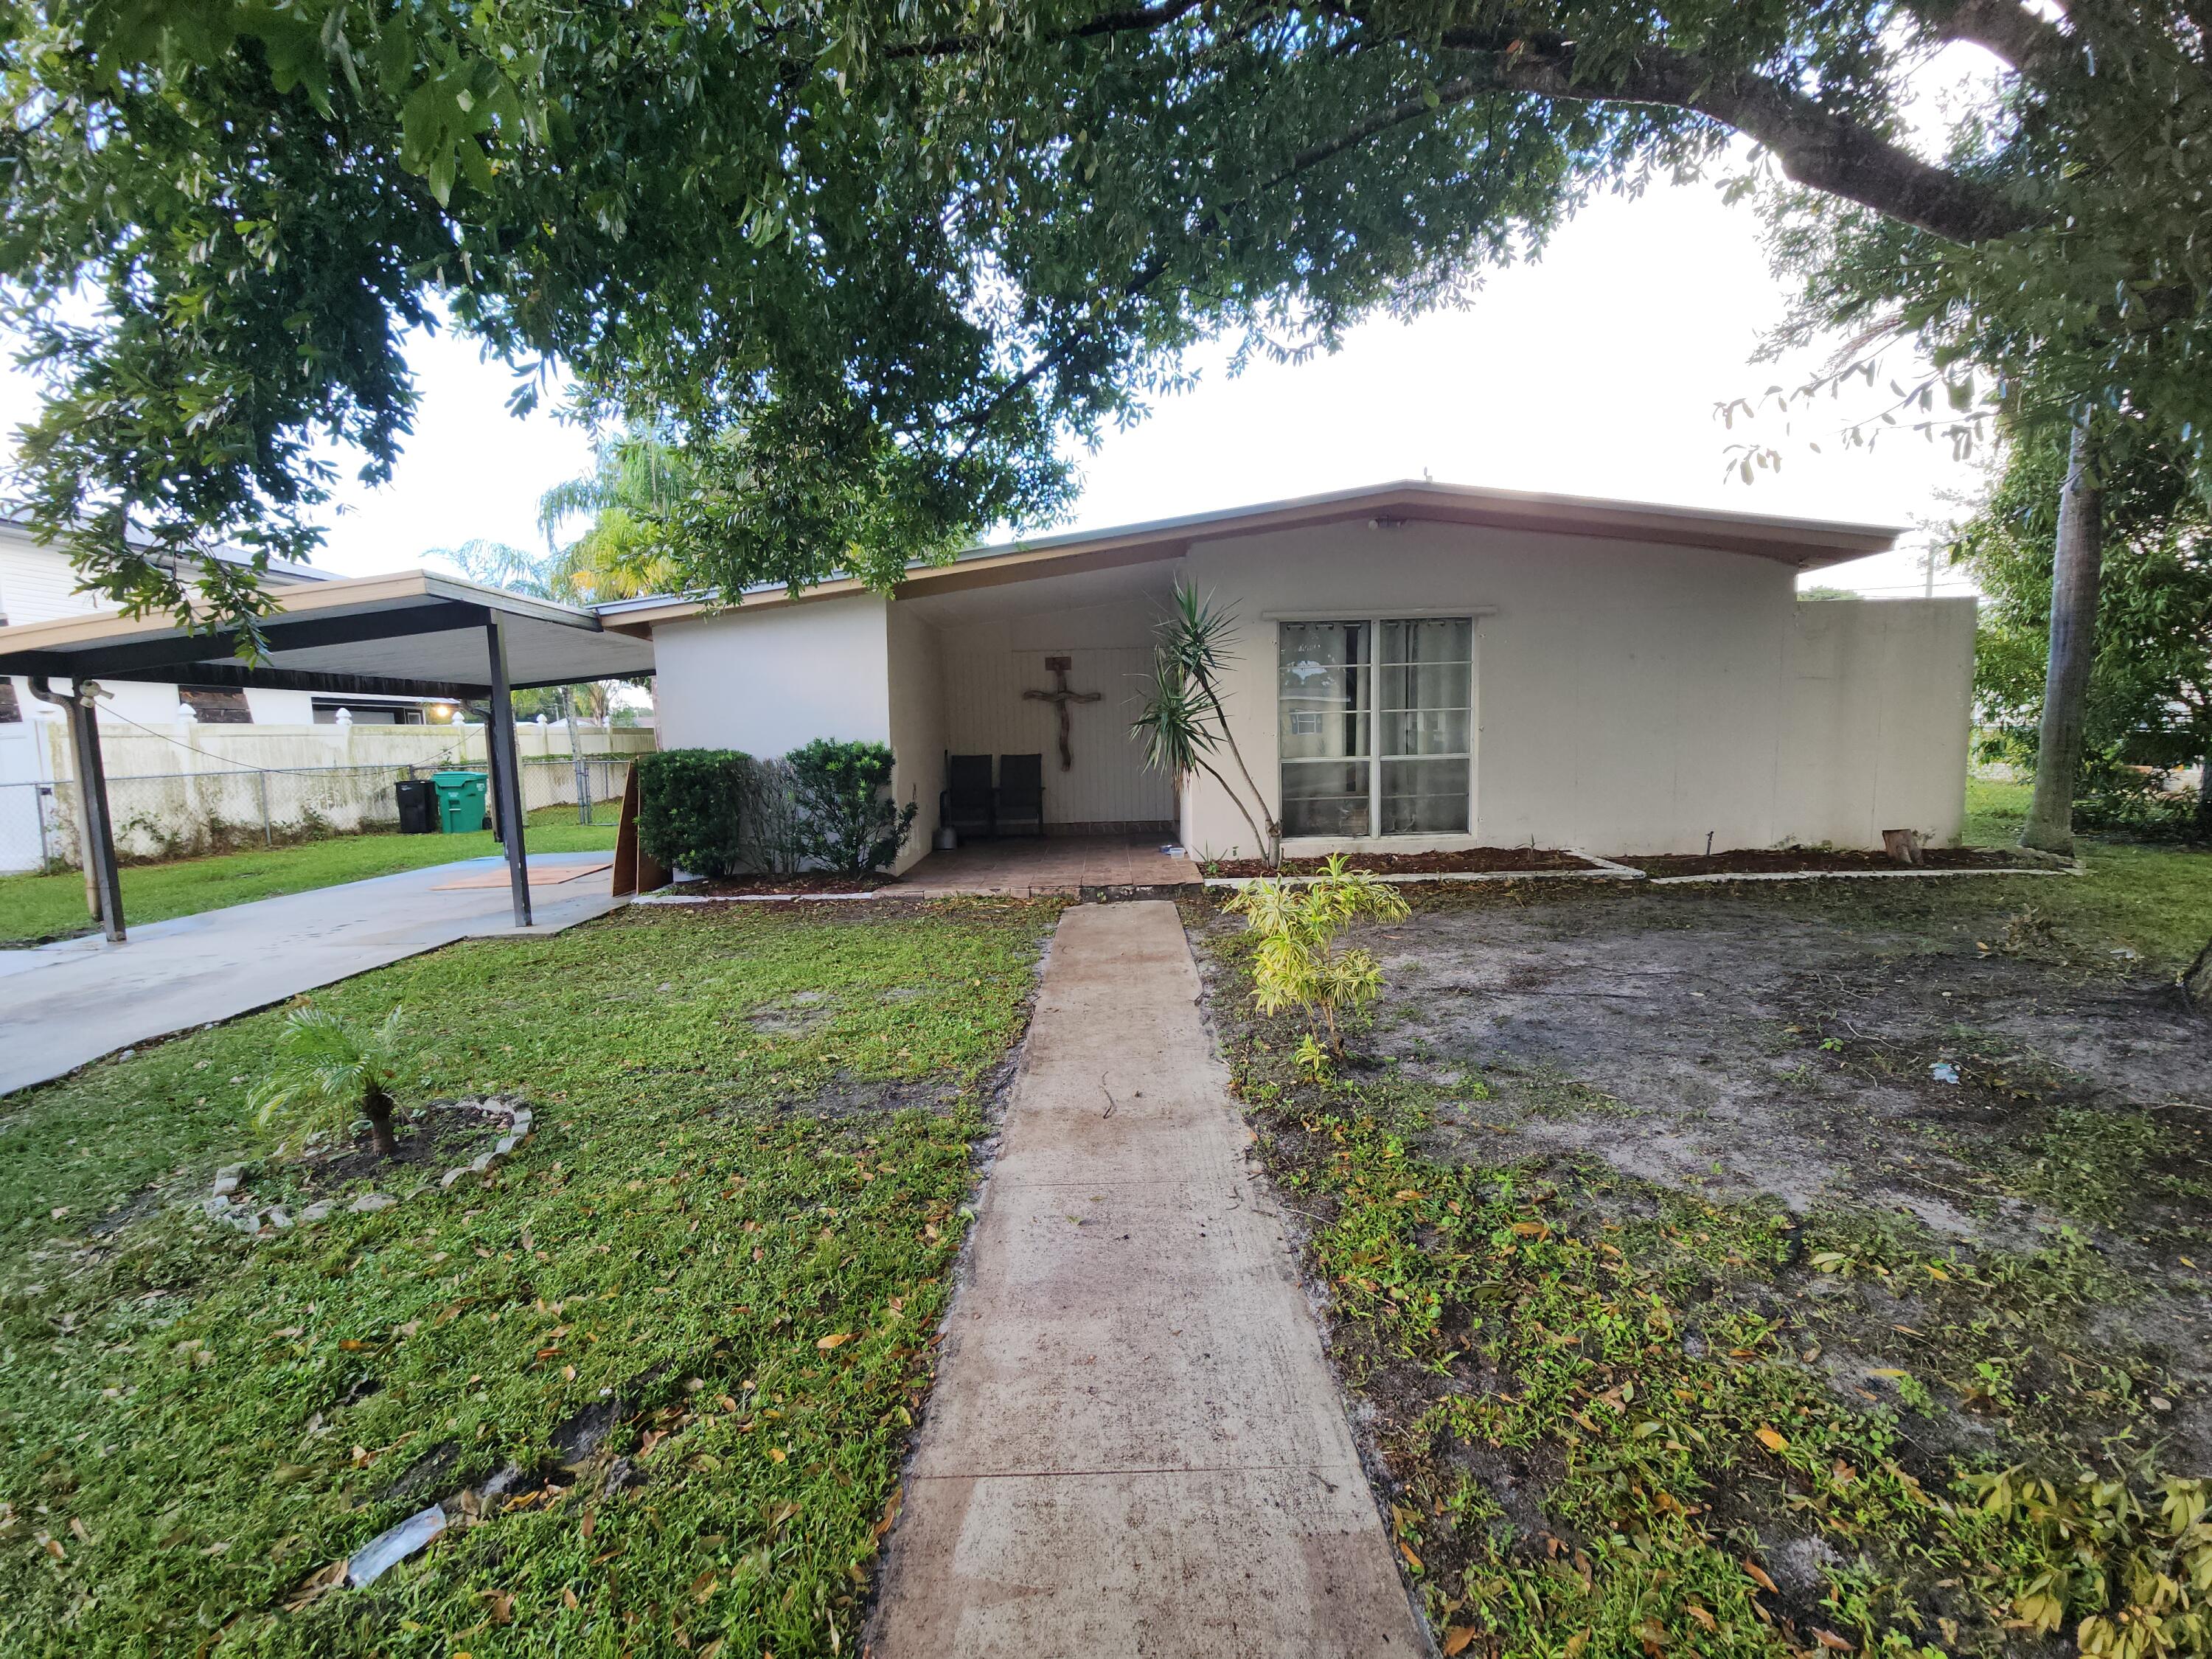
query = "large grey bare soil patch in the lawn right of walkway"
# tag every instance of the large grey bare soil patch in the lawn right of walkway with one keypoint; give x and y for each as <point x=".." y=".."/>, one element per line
<point x="1744" y="1050"/>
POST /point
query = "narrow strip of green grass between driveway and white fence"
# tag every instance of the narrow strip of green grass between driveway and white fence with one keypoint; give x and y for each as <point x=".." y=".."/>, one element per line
<point x="43" y="908"/>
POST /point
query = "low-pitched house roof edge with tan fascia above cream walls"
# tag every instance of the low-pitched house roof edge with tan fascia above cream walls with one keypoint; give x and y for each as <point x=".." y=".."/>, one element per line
<point x="1799" y="543"/>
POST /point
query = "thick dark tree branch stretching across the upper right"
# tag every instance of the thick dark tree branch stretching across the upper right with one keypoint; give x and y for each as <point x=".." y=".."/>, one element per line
<point x="1817" y="147"/>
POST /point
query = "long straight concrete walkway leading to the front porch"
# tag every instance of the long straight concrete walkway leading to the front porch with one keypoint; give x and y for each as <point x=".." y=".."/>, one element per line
<point x="1134" y="1446"/>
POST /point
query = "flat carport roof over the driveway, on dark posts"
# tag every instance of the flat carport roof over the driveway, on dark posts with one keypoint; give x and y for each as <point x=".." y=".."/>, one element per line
<point x="408" y="636"/>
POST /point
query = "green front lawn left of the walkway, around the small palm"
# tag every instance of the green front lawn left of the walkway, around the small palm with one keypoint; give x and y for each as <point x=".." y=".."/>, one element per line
<point x="196" y="1426"/>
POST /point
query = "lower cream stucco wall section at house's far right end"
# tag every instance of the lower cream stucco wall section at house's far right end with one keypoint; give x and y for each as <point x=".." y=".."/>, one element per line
<point x="1879" y="718"/>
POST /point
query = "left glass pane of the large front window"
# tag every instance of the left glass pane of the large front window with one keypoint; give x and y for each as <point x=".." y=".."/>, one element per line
<point x="1326" y="724"/>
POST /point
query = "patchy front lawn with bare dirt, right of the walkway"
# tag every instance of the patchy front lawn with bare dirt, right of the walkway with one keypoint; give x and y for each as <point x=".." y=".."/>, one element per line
<point x="1773" y="1271"/>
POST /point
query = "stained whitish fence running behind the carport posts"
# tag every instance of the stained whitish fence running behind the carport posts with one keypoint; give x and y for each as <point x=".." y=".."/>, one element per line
<point x="191" y="815"/>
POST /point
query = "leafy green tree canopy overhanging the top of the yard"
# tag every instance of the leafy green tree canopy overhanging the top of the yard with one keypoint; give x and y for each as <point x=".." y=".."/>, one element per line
<point x="875" y="267"/>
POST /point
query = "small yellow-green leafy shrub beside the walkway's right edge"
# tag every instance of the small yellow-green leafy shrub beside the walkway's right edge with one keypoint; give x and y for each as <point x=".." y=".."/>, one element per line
<point x="1300" y="966"/>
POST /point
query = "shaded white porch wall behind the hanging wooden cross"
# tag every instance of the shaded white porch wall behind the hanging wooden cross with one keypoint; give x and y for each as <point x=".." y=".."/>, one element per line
<point x="990" y="665"/>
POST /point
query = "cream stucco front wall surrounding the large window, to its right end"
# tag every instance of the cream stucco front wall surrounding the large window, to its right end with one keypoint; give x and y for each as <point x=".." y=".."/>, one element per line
<point x="1629" y="698"/>
